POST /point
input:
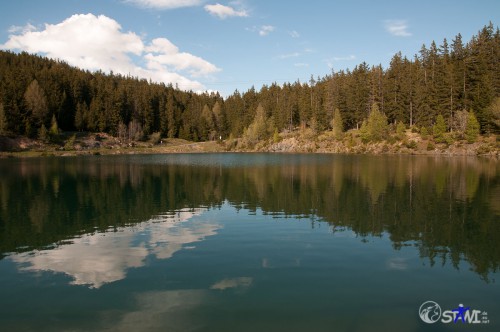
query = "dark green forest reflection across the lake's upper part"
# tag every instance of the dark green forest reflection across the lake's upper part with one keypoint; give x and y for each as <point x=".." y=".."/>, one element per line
<point x="448" y="208"/>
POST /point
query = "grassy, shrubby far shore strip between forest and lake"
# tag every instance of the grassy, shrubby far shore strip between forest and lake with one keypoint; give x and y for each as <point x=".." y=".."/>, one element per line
<point x="76" y="144"/>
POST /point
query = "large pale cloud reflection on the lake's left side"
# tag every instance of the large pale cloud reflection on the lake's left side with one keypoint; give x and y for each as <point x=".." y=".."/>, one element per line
<point x="97" y="259"/>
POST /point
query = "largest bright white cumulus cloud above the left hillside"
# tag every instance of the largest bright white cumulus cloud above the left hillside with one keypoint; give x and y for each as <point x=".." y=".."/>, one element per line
<point x="98" y="43"/>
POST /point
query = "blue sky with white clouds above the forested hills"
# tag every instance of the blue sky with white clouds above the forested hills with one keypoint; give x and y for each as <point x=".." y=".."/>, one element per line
<point x="226" y="45"/>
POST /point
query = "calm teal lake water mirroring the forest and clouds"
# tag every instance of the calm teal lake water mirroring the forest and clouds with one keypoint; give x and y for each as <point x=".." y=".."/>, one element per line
<point x="248" y="242"/>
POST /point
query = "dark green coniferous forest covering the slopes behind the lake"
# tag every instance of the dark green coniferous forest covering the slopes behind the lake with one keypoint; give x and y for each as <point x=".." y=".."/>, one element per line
<point x="38" y="95"/>
